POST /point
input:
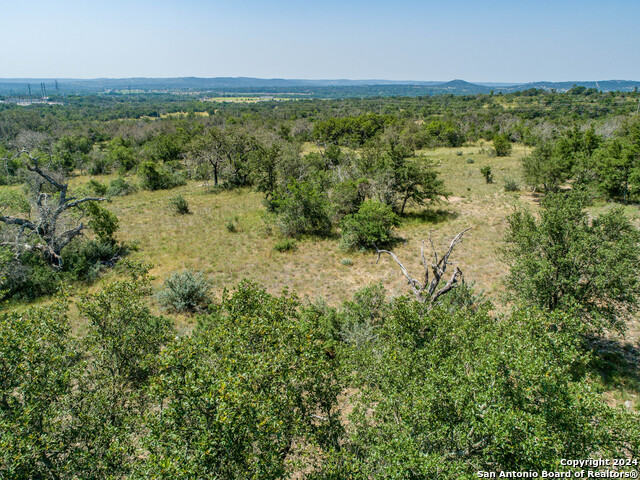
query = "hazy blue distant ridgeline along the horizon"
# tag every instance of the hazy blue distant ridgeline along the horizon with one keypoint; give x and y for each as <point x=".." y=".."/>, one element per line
<point x="35" y="90"/>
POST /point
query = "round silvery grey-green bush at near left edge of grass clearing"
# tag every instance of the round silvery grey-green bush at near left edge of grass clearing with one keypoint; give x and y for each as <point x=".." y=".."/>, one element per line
<point x="186" y="291"/>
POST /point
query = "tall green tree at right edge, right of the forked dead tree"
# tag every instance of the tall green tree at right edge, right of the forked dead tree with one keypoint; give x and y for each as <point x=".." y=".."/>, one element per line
<point x="567" y="261"/>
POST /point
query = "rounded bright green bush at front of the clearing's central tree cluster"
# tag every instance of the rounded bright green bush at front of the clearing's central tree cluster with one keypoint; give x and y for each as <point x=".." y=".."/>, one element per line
<point x="372" y="223"/>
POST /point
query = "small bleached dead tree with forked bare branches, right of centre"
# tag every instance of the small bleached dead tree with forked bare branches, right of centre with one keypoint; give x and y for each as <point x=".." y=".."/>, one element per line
<point x="428" y="291"/>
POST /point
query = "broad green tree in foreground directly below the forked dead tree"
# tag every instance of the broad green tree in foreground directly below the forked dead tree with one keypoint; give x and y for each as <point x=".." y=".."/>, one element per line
<point x="442" y="394"/>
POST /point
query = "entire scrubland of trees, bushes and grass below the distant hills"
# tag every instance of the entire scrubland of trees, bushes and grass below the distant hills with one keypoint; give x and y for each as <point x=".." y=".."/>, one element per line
<point x="274" y="334"/>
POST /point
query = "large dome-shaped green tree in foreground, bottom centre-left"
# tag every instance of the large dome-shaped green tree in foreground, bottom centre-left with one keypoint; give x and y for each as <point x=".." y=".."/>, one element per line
<point x="250" y="389"/>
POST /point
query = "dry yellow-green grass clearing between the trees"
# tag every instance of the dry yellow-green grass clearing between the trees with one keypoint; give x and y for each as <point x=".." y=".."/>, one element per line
<point x="317" y="268"/>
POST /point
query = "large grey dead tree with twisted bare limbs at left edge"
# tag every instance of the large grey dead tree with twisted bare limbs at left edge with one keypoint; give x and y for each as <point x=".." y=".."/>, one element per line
<point x="47" y="234"/>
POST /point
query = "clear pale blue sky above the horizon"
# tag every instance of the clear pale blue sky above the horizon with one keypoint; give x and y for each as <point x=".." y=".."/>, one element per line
<point x="488" y="41"/>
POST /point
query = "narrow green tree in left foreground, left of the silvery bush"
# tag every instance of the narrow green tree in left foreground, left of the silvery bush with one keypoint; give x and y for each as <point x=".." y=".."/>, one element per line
<point x="108" y="405"/>
